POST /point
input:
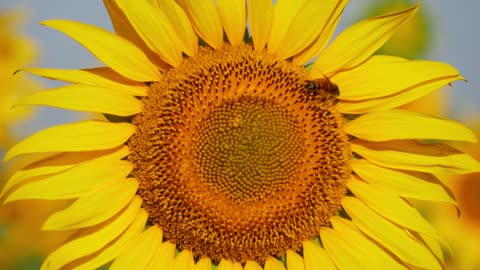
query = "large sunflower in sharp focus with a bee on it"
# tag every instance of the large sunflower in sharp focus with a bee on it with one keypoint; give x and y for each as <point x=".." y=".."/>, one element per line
<point x="222" y="147"/>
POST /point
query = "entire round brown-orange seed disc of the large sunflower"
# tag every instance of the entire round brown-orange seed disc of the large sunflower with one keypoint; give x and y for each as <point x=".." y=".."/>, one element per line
<point x="236" y="158"/>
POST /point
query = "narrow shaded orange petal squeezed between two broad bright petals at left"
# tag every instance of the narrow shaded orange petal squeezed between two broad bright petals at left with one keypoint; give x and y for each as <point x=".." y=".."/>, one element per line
<point x="61" y="163"/>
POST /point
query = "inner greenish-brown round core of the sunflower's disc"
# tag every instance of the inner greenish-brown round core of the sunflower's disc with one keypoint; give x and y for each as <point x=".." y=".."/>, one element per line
<point x="247" y="149"/>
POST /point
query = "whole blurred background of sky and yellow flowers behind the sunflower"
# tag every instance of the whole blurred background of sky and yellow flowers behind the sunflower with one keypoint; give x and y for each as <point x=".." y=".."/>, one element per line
<point x="444" y="30"/>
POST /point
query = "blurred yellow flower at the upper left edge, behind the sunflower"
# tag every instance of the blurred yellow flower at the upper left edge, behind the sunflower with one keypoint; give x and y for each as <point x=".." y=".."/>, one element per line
<point x="16" y="52"/>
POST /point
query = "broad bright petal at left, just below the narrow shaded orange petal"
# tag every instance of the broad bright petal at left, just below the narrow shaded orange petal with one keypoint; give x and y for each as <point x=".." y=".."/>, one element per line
<point x="75" y="182"/>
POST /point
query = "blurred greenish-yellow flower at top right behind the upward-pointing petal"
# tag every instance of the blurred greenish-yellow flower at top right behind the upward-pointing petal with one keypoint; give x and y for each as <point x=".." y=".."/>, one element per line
<point x="413" y="38"/>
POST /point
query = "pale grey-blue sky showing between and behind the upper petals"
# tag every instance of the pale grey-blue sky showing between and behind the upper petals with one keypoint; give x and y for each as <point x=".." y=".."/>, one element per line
<point x="456" y="41"/>
